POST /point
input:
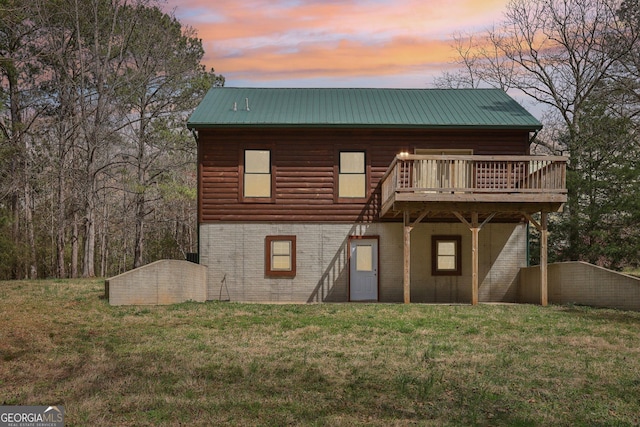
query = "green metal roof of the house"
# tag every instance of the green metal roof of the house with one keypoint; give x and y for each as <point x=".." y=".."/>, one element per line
<point x="422" y="108"/>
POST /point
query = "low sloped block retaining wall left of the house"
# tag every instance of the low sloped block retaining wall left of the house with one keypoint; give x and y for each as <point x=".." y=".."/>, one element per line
<point x="161" y="282"/>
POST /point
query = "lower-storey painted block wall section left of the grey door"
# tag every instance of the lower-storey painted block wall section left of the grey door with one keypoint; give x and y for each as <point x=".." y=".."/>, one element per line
<point x="235" y="256"/>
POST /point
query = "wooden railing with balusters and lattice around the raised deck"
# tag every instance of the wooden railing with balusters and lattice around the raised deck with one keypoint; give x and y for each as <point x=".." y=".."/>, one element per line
<point x="475" y="174"/>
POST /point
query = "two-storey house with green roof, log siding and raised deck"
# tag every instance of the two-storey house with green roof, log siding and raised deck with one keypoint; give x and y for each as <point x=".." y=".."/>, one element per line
<point x="390" y="195"/>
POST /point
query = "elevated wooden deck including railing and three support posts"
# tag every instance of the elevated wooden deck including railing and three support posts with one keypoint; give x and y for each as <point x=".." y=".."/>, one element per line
<point x="473" y="189"/>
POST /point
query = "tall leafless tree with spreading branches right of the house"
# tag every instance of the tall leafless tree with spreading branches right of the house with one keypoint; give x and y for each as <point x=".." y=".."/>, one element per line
<point x="561" y="53"/>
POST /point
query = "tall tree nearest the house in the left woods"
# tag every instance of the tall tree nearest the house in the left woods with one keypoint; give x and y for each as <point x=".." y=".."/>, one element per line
<point x="164" y="78"/>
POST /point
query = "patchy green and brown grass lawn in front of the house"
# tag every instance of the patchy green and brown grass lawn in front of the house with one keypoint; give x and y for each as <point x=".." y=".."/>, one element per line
<point x="331" y="364"/>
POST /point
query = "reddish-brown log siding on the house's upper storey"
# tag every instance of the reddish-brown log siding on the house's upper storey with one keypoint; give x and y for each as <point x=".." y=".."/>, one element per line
<point x="304" y="163"/>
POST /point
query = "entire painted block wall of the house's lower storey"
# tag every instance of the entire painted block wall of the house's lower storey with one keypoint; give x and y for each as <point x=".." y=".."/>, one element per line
<point x="234" y="255"/>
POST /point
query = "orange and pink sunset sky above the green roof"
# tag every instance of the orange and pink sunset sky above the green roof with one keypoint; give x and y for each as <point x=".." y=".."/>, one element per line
<point x="332" y="43"/>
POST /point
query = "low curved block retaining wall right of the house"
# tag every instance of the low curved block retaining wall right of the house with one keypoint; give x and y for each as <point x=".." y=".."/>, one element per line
<point x="581" y="283"/>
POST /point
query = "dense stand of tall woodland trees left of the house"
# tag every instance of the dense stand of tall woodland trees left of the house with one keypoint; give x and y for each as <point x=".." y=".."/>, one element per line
<point x="93" y="99"/>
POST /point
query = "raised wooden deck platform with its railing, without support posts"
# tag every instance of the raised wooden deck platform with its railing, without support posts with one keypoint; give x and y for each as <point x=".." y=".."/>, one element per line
<point x="483" y="184"/>
